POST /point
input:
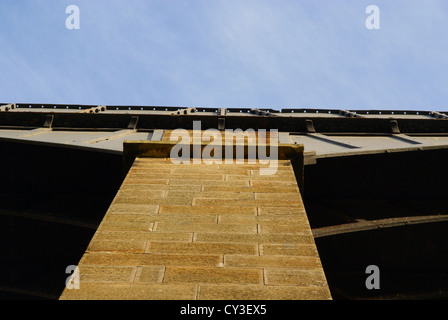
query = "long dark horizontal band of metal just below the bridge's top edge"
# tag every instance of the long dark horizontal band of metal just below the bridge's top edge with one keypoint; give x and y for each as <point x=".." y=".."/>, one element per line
<point x="33" y="120"/>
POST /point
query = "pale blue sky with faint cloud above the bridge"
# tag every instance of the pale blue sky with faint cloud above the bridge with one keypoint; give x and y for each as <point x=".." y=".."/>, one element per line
<point x="226" y="53"/>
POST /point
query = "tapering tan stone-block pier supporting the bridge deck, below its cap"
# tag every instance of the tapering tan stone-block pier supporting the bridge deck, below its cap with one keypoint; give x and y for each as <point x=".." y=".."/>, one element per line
<point x="203" y="231"/>
